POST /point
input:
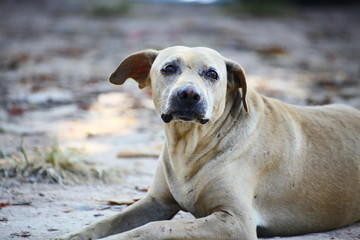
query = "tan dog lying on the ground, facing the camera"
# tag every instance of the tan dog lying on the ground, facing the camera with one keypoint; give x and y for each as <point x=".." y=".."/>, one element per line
<point x="241" y="163"/>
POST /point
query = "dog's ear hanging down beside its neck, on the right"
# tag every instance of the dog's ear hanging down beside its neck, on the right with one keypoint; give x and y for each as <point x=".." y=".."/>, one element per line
<point x="236" y="79"/>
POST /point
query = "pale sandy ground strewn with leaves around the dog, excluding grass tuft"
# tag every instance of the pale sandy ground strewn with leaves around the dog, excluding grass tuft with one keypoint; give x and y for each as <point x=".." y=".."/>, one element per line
<point x="54" y="62"/>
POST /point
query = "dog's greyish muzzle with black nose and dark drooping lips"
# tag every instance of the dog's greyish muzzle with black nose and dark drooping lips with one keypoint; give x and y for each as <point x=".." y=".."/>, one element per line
<point x="187" y="104"/>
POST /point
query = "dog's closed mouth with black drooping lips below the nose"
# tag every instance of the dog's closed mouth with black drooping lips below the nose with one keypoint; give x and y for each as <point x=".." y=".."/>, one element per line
<point x="186" y="115"/>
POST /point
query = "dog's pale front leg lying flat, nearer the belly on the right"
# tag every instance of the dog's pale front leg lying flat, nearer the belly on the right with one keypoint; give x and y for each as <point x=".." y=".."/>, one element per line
<point x="219" y="225"/>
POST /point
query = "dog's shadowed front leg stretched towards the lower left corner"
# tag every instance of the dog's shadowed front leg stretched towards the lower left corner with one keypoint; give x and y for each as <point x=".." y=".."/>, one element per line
<point x="146" y="210"/>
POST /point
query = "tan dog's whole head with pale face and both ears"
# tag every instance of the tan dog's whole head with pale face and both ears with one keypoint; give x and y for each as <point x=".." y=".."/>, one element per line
<point x="188" y="84"/>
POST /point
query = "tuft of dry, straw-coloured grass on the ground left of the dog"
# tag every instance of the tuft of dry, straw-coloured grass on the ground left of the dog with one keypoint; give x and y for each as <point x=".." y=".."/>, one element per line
<point x="53" y="165"/>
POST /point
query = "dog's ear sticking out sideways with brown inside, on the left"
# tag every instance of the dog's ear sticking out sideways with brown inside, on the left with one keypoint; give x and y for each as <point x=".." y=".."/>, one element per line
<point x="136" y="66"/>
